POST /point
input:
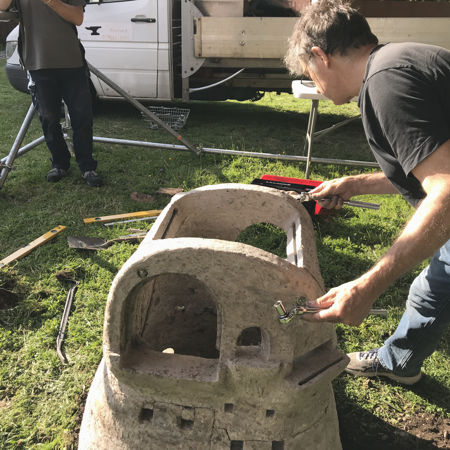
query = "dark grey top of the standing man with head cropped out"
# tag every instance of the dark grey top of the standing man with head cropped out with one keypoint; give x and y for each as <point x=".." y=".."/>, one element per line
<point x="47" y="40"/>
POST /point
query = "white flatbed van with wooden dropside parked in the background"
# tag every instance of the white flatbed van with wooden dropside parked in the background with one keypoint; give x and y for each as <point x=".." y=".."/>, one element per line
<point x="207" y="49"/>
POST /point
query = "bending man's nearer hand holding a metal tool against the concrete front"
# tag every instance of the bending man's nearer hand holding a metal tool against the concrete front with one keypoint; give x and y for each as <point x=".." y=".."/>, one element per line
<point x="349" y="303"/>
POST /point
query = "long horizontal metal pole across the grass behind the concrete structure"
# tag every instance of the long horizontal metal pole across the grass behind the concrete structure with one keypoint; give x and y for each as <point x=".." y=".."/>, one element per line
<point x="346" y="162"/>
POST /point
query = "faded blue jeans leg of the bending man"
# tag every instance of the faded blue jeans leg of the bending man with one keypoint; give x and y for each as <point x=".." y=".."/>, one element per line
<point x="426" y="318"/>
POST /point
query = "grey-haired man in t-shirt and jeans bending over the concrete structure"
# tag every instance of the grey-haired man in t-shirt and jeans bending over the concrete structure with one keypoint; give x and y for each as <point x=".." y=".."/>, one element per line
<point x="404" y="98"/>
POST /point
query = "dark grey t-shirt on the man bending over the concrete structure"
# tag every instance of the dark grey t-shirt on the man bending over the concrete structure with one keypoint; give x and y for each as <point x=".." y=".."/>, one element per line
<point x="405" y="107"/>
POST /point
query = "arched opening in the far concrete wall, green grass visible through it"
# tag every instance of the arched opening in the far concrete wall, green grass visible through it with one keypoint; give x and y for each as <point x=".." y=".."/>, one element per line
<point x="266" y="237"/>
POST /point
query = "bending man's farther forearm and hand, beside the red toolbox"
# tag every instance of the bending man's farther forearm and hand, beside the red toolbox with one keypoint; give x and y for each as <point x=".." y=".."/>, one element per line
<point x="340" y="189"/>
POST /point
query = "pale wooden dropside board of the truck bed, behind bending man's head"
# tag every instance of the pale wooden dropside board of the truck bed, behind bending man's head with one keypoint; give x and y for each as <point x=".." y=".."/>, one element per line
<point x="266" y="37"/>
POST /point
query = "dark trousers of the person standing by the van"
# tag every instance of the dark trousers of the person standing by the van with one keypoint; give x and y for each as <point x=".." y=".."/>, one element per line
<point x="48" y="87"/>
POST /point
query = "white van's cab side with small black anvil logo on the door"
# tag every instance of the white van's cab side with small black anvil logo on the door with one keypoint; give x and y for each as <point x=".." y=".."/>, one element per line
<point x="125" y="51"/>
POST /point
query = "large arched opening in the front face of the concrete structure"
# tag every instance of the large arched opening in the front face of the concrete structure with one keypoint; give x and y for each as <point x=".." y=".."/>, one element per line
<point x="171" y="317"/>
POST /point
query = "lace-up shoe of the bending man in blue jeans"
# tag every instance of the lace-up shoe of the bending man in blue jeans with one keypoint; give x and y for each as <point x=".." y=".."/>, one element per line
<point x="367" y="364"/>
